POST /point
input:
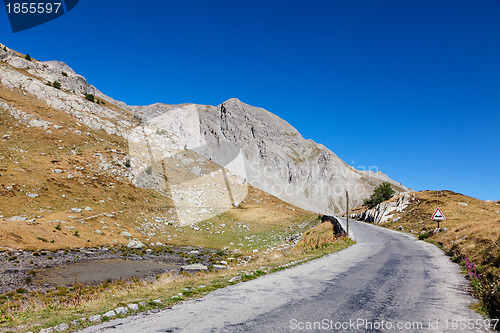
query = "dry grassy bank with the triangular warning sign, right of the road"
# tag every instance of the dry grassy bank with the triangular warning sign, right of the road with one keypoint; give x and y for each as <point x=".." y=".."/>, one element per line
<point x="472" y="238"/>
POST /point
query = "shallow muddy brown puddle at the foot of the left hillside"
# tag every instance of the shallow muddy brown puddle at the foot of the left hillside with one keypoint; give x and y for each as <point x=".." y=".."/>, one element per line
<point x="100" y="270"/>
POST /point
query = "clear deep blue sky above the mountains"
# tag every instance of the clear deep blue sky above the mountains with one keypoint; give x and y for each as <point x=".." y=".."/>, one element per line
<point x="412" y="87"/>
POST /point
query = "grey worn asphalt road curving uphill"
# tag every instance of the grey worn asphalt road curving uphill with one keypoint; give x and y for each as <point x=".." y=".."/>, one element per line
<point x="388" y="281"/>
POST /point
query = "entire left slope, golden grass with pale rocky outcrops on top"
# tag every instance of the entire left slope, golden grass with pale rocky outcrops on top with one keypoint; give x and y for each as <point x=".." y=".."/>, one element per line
<point x="66" y="178"/>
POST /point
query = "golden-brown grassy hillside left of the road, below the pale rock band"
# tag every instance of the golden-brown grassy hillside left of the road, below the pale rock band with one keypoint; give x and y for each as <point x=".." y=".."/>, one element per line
<point x="47" y="175"/>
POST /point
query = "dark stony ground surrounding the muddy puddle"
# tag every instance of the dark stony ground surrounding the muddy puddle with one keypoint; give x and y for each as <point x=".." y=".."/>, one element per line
<point x="18" y="269"/>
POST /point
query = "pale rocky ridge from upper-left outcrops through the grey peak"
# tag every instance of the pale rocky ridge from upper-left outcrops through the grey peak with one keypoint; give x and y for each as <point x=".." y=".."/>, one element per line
<point x="299" y="171"/>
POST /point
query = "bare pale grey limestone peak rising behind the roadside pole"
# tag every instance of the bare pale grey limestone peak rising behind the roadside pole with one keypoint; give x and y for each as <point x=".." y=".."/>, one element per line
<point x="268" y="153"/>
